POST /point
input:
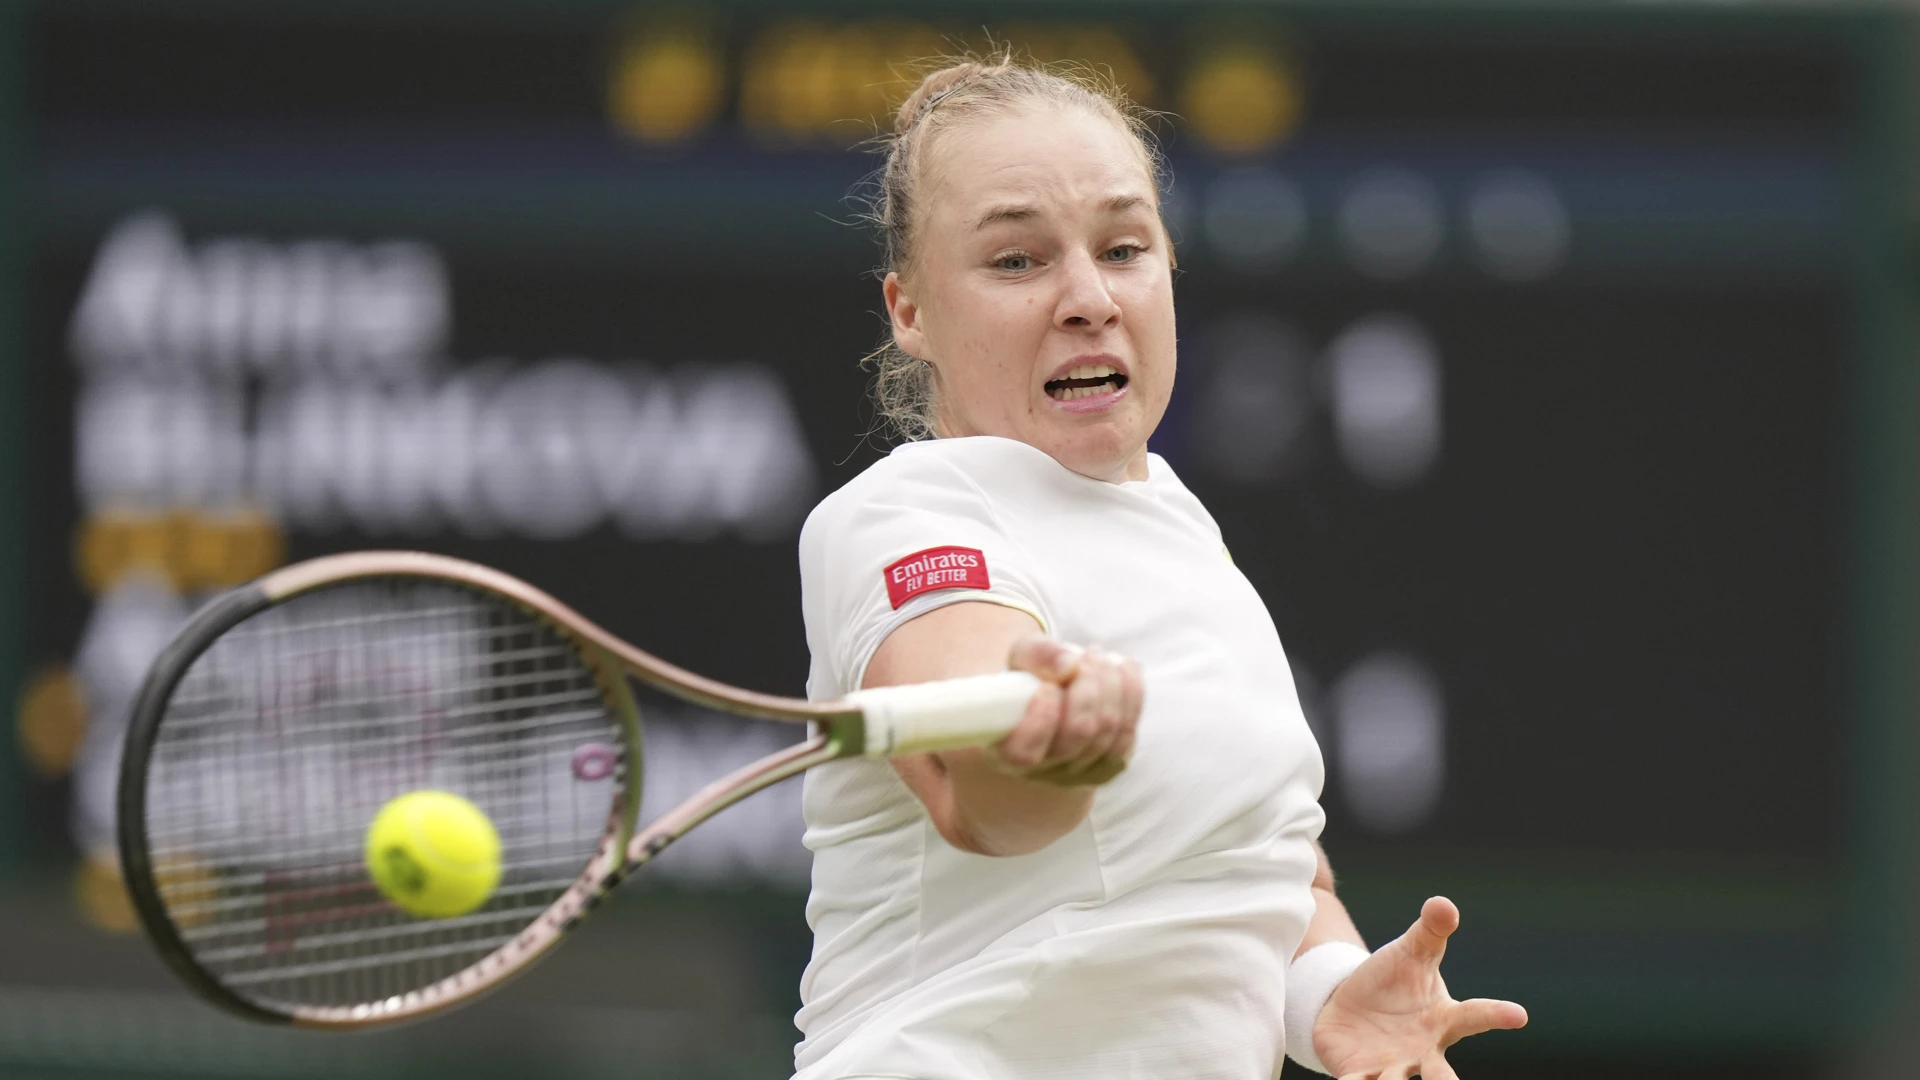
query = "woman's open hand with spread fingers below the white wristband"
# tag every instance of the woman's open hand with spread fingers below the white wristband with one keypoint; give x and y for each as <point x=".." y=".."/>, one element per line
<point x="1395" y="1019"/>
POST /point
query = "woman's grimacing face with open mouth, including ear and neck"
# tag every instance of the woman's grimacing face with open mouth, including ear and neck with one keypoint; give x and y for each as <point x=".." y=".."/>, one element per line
<point x="1042" y="289"/>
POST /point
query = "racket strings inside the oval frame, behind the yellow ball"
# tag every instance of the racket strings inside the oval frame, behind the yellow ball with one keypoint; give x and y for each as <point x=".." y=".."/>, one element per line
<point x="295" y="729"/>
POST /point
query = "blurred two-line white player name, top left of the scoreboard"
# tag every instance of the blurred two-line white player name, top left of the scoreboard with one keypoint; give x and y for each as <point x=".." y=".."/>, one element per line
<point x="306" y="378"/>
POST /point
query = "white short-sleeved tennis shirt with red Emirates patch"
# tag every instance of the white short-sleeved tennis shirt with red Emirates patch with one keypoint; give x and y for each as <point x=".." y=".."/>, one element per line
<point x="1153" y="941"/>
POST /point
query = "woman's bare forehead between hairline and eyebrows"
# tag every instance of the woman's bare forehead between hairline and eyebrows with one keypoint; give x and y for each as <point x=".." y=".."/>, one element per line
<point x="1059" y="159"/>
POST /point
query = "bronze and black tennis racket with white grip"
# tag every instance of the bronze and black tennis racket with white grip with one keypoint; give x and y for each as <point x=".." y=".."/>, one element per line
<point x="291" y="710"/>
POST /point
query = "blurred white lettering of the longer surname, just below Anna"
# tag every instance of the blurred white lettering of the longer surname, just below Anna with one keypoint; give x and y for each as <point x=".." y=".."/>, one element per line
<point x="550" y="453"/>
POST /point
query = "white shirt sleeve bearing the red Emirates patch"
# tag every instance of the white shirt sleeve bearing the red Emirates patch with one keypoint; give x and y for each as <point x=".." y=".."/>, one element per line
<point x="911" y="535"/>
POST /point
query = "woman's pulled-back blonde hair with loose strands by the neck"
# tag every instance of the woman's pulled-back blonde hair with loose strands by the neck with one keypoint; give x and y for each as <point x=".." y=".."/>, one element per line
<point x="963" y="91"/>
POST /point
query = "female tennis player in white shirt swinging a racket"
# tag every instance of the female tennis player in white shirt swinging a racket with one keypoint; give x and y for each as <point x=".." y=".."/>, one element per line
<point x="1130" y="885"/>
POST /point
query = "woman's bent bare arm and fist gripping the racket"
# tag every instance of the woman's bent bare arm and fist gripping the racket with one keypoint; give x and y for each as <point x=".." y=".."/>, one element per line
<point x="1038" y="783"/>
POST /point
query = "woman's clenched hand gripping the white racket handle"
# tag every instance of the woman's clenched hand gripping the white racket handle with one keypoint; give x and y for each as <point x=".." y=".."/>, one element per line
<point x="1080" y="727"/>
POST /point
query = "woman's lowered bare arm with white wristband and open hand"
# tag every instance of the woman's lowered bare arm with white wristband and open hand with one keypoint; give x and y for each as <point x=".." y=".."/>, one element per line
<point x="1391" y="1018"/>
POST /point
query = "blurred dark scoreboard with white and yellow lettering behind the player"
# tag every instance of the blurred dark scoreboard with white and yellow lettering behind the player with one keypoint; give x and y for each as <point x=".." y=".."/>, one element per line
<point x="1537" y="368"/>
